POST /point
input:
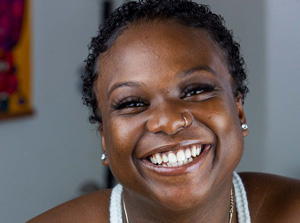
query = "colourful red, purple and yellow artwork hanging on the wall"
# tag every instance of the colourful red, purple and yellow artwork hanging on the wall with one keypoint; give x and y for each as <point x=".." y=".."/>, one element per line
<point x="15" y="78"/>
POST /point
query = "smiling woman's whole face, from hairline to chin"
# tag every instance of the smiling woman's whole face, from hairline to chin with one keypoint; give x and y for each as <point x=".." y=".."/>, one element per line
<point x="154" y="74"/>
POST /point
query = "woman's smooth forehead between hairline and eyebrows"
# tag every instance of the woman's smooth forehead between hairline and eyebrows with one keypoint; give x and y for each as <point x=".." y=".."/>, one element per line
<point x="158" y="47"/>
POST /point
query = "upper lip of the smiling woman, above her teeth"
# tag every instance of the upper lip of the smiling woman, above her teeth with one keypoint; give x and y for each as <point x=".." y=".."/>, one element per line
<point x="173" y="147"/>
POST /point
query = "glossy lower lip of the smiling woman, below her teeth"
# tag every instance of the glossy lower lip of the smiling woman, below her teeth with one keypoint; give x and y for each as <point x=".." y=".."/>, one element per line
<point x="179" y="170"/>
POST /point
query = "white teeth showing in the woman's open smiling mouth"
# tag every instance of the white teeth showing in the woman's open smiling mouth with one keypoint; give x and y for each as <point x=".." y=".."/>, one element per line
<point x="179" y="157"/>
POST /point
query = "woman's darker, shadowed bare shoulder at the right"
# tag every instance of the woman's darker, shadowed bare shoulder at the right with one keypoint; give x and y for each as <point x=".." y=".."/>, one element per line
<point x="272" y="198"/>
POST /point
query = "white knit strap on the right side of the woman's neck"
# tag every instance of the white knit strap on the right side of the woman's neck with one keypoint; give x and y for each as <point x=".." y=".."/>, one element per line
<point x="241" y="200"/>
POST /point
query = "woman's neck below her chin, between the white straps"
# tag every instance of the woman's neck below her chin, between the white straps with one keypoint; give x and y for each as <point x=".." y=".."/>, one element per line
<point x="213" y="208"/>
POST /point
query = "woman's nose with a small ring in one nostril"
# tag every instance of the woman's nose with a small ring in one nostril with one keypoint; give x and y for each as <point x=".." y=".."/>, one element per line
<point x="169" y="119"/>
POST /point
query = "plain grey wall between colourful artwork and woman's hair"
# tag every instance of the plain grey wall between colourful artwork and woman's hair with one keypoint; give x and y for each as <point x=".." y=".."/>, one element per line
<point x="46" y="158"/>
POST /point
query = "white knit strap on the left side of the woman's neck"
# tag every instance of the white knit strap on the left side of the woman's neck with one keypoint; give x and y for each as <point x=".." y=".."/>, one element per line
<point x="116" y="205"/>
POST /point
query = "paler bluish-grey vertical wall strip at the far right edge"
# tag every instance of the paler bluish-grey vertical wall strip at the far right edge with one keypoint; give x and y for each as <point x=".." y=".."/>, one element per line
<point x="283" y="75"/>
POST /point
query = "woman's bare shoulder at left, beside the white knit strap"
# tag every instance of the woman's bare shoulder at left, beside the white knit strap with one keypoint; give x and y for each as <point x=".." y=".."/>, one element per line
<point x="93" y="207"/>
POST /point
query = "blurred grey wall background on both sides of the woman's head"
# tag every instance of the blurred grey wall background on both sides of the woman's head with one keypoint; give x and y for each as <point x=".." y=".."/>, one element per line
<point x="53" y="155"/>
